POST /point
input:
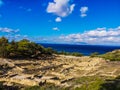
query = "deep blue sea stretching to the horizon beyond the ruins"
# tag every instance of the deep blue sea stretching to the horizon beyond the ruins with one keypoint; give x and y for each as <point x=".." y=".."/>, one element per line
<point x="84" y="49"/>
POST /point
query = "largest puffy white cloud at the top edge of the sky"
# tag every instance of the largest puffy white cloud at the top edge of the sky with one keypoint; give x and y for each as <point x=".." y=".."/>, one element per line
<point x="61" y="8"/>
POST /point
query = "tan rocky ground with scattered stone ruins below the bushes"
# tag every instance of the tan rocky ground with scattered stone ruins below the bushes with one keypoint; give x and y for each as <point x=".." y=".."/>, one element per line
<point x="60" y="71"/>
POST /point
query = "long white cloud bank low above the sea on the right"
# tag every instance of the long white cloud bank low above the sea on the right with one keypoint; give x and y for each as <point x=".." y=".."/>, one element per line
<point x="97" y="36"/>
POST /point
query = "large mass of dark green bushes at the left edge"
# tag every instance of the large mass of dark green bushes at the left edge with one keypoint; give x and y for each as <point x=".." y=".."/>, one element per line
<point x="22" y="49"/>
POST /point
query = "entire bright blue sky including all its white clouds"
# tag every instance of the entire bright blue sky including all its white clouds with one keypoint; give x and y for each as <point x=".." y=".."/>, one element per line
<point x="61" y="21"/>
